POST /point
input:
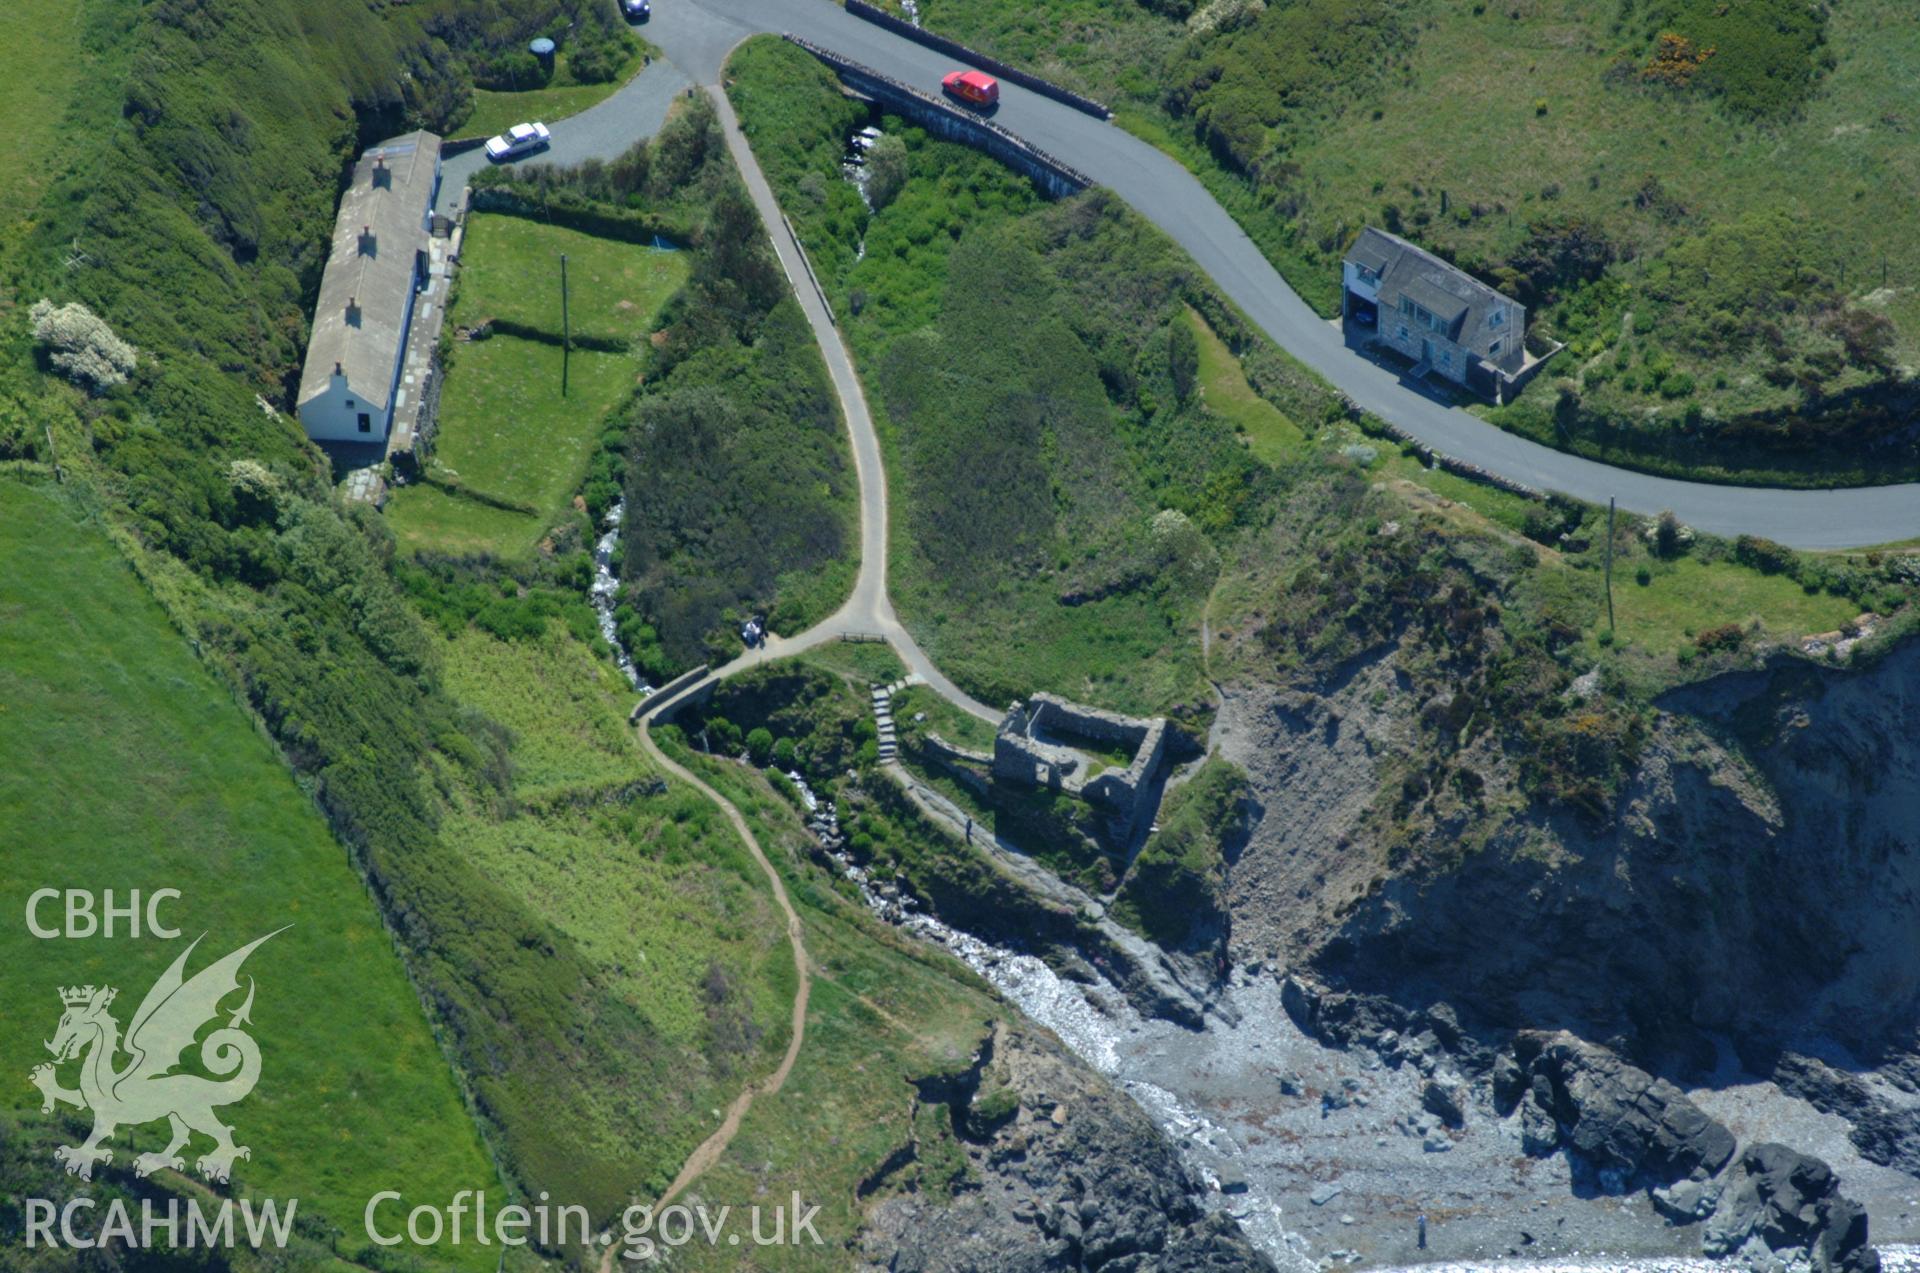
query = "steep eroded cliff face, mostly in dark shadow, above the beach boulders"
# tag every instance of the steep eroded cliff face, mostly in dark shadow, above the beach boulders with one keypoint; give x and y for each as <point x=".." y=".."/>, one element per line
<point x="1760" y="877"/>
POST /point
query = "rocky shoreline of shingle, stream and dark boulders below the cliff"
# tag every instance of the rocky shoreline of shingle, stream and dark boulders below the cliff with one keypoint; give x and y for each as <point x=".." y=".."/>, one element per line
<point x="1326" y="1126"/>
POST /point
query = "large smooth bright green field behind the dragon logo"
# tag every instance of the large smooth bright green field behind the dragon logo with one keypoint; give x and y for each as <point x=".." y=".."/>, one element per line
<point x="124" y="765"/>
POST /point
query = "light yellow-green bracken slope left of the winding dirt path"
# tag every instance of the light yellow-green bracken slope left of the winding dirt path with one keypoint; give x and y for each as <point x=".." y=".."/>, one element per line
<point x="646" y="882"/>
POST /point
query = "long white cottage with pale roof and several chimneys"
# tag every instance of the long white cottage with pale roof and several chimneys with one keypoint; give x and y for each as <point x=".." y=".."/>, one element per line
<point x="368" y="295"/>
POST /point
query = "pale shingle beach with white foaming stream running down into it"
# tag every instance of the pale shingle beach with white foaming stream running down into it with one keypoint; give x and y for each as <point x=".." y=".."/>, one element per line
<point x="1239" y="1103"/>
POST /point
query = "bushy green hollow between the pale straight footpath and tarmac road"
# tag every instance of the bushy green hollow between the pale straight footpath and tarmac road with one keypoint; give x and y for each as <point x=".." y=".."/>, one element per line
<point x="957" y="458"/>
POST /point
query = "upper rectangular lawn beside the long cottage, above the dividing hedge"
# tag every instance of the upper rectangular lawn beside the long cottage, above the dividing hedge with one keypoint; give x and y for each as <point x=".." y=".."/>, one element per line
<point x="510" y="270"/>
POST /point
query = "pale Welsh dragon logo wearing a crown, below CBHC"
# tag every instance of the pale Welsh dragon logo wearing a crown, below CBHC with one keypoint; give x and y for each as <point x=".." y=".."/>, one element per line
<point x="145" y="1088"/>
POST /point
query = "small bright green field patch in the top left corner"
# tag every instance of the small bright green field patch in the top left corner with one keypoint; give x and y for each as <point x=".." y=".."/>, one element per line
<point x="43" y="64"/>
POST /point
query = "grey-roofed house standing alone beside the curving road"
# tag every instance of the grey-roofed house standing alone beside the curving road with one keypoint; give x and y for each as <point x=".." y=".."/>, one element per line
<point x="1441" y="318"/>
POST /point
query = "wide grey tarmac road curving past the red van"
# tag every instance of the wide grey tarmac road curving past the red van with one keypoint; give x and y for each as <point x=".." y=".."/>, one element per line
<point x="696" y="36"/>
